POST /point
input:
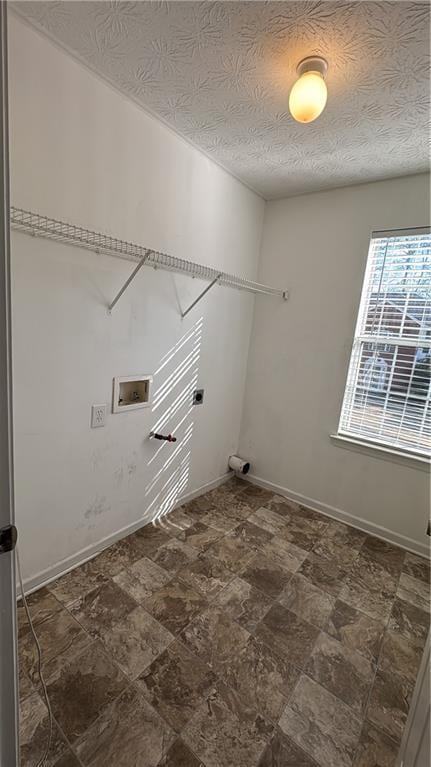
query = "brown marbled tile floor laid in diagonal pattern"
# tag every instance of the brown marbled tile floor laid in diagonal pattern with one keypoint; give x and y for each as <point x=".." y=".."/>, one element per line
<point x="243" y="630"/>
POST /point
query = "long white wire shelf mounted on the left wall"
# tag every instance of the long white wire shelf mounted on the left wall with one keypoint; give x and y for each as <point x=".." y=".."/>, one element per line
<point x="69" y="234"/>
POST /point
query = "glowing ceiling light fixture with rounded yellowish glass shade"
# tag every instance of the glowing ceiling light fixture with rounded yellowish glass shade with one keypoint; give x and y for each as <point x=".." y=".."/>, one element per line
<point x="308" y="96"/>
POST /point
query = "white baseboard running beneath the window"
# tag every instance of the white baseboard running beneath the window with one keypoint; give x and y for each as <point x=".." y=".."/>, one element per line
<point x="343" y="516"/>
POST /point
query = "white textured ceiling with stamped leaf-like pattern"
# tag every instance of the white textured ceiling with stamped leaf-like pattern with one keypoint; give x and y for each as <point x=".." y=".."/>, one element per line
<point x="219" y="74"/>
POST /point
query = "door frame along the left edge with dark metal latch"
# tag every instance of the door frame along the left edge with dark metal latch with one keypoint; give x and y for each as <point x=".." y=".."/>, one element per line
<point x="9" y="744"/>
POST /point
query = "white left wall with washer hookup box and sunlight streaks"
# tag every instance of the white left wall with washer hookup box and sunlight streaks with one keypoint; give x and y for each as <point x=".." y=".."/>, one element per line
<point x="81" y="152"/>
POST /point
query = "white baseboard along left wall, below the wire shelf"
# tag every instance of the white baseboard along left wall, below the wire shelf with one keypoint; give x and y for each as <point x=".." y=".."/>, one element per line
<point x="84" y="555"/>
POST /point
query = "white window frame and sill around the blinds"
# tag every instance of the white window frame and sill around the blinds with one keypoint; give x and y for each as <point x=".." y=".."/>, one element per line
<point x="378" y="445"/>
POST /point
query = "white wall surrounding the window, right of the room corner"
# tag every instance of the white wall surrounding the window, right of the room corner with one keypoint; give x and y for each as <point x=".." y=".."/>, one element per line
<point x="316" y="245"/>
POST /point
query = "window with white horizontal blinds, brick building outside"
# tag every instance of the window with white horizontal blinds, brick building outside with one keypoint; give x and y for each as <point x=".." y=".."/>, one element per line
<point x="388" y="391"/>
